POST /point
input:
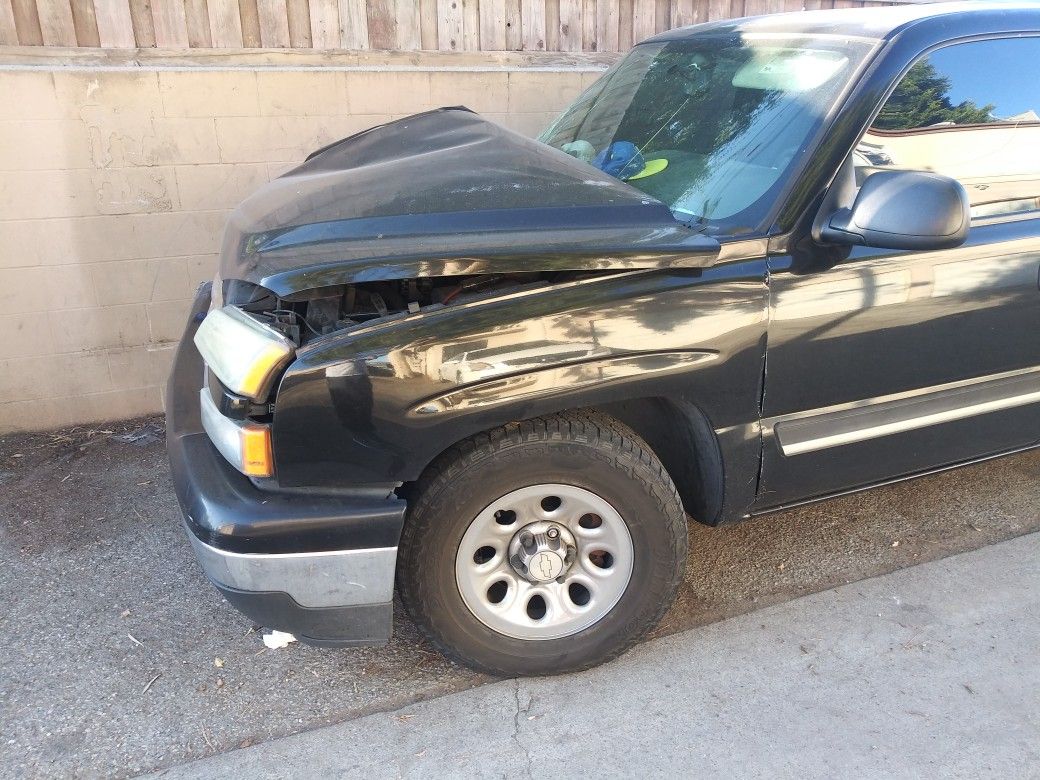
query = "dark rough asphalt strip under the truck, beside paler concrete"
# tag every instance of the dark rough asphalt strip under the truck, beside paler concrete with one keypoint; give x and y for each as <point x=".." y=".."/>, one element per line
<point x="118" y="657"/>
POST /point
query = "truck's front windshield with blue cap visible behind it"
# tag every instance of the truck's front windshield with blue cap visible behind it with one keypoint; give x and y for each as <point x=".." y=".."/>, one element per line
<point x="710" y="125"/>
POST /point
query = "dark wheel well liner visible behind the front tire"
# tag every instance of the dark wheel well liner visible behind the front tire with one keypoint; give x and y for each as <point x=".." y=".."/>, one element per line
<point x="681" y="435"/>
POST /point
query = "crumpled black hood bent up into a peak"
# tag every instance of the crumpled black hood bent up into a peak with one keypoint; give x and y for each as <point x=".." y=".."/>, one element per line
<point x="444" y="194"/>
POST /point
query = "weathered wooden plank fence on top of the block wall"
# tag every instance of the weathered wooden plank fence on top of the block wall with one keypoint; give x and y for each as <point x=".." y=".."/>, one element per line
<point x="406" y="25"/>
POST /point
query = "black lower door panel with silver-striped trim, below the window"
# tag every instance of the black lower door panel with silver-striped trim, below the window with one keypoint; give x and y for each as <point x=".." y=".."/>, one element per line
<point x="893" y="363"/>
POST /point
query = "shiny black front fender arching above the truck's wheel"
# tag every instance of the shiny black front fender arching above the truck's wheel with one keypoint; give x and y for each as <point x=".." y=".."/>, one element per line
<point x="377" y="404"/>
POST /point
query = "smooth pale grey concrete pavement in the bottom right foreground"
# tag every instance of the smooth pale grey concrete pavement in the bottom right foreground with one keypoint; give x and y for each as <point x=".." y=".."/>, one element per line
<point x="928" y="672"/>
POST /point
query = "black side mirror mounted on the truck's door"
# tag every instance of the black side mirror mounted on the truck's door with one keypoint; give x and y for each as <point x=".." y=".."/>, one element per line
<point x="903" y="211"/>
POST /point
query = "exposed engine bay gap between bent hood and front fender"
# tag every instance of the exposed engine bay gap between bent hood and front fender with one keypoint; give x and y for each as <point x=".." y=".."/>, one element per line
<point x="309" y="316"/>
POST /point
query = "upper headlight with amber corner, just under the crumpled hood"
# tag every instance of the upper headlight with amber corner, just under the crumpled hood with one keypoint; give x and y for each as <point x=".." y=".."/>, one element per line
<point x="245" y="354"/>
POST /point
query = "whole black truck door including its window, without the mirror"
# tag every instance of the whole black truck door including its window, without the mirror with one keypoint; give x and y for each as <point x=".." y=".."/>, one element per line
<point x="890" y="363"/>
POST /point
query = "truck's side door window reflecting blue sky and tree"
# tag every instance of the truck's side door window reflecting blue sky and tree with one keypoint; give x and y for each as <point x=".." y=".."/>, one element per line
<point x="971" y="112"/>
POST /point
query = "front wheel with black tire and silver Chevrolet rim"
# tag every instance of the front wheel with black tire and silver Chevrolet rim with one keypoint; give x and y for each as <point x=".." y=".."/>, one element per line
<point x="591" y="461"/>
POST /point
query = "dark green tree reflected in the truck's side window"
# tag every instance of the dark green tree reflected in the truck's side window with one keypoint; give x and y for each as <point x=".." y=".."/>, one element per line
<point x="923" y="99"/>
